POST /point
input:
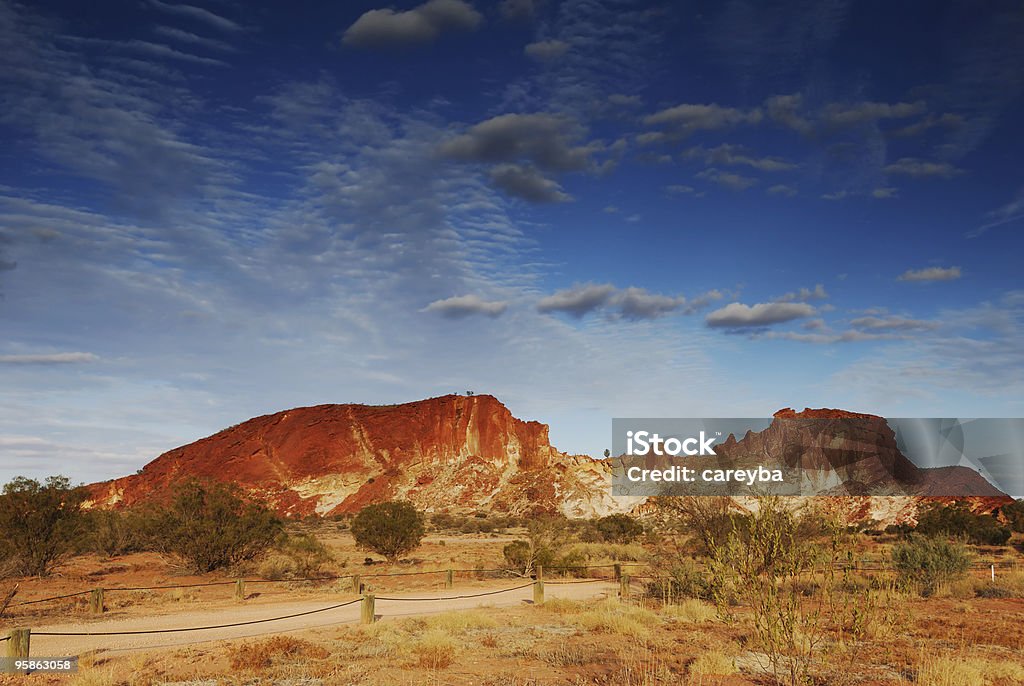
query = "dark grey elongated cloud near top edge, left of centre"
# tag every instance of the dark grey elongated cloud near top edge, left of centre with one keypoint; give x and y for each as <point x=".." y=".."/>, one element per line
<point x="424" y="24"/>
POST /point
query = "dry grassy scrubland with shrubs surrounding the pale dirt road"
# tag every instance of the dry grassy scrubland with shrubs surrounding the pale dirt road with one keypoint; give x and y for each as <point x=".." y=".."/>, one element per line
<point x="773" y="596"/>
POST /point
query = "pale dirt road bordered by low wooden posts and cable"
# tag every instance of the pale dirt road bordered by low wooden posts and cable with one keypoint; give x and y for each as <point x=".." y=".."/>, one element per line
<point x="403" y="606"/>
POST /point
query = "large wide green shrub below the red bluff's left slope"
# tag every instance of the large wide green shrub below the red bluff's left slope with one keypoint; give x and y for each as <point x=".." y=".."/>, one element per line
<point x="210" y="527"/>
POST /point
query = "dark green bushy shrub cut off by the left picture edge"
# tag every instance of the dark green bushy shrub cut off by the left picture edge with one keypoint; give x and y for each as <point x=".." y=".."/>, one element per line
<point x="41" y="524"/>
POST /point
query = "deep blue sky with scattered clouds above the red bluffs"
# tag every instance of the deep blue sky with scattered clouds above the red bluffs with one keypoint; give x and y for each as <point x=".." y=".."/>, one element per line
<point x="590" y="209"/>
